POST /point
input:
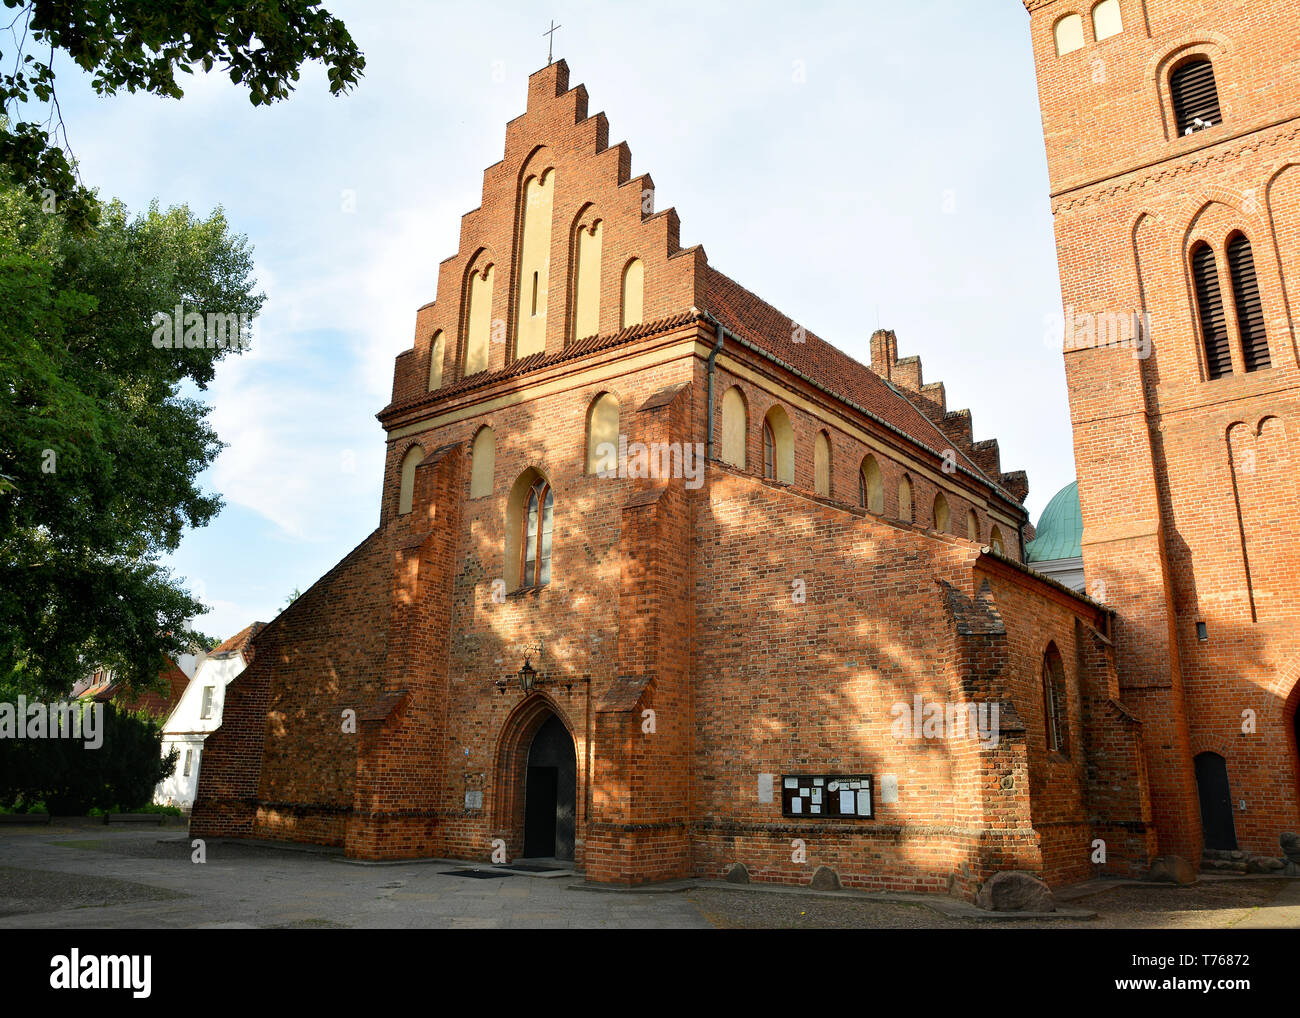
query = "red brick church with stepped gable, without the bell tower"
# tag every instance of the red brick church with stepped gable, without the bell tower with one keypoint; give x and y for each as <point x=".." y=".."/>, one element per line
<point x="668" y="586"/>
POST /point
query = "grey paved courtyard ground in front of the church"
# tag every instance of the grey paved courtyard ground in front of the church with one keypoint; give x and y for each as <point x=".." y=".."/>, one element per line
<point x="77" y="874"/>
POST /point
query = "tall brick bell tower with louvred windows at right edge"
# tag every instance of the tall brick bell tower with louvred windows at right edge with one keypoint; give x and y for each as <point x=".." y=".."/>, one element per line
<point x="1173" y="142"/>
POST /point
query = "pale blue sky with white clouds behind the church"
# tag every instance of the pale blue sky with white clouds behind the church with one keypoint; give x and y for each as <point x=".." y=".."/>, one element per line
<point x="887" y="158"/>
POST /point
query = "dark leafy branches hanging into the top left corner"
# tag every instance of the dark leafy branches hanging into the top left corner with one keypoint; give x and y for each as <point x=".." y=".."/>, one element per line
<point x="133" y="46"/>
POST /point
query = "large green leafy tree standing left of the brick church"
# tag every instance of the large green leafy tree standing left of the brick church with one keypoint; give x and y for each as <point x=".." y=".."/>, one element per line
<point x="102" y="440"/>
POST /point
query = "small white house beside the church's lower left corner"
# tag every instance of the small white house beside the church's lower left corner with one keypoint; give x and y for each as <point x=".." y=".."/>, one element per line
<point x="200" y="713"/>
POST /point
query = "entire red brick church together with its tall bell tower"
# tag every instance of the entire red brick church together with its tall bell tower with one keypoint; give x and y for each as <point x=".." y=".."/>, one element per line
<point x="666" y="586"/>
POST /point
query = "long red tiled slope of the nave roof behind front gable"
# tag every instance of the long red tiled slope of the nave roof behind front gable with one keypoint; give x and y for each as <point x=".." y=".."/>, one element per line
<point x="757" y="322"/>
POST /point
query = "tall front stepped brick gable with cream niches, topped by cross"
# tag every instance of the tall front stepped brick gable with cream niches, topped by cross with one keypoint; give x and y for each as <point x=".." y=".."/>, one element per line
<point x="592" y="183"/>
